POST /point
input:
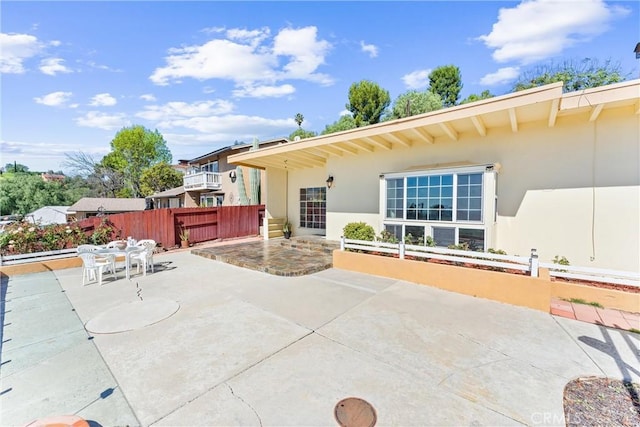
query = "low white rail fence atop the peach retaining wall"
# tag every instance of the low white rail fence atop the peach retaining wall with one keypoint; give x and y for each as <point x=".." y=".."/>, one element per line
<point x="529" y="264"/>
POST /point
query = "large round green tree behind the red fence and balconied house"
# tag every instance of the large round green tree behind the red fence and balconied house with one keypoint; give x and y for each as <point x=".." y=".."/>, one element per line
<point x="133" y="150"/>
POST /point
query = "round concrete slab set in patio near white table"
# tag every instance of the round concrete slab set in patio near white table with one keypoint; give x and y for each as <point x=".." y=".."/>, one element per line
<point x="132" y="315"/>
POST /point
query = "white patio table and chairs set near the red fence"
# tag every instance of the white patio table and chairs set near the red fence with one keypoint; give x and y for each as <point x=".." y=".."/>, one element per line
<point x="97" y="259"/>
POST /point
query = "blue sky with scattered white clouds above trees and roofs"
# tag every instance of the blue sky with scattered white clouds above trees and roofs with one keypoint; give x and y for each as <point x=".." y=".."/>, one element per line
<point x="206" y="74"/>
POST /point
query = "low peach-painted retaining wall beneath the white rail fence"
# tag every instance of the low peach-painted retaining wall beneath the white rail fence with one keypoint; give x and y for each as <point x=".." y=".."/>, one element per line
<point x="524" y="291"/>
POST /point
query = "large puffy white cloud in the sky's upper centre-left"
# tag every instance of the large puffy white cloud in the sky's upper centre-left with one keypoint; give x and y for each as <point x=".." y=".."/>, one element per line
<point x="246" y="58"/>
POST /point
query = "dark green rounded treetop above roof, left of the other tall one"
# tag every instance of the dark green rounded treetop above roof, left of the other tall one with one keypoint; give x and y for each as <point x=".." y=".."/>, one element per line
<point x="367" y="102"/>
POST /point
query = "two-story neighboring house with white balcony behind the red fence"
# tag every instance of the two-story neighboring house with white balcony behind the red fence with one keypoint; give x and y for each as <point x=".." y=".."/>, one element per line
<point x="210" y="180"/>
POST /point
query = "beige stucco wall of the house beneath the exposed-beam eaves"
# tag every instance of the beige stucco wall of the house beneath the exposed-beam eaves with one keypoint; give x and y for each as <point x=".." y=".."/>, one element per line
<point x="571" y="190"/>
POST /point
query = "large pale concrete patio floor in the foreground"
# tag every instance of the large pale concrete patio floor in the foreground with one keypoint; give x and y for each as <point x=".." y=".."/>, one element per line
<point x="203" y="343"/>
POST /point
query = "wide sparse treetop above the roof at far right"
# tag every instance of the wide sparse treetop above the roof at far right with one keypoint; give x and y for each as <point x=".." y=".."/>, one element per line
<point x="576" y="75"/>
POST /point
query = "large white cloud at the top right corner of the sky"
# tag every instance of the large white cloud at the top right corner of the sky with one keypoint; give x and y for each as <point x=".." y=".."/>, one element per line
<point x="539" y="29"/>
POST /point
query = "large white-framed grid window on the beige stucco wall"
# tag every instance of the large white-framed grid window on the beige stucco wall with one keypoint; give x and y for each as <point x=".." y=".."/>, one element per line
<point x="447" y="205"/>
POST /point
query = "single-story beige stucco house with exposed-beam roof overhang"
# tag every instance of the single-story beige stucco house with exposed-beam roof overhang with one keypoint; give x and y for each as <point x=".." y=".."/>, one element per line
<point x="559" y="172"/>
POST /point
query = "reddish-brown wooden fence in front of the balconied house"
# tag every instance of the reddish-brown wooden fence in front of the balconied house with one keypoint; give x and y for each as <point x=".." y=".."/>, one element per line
<point x="164" y="225"/>
